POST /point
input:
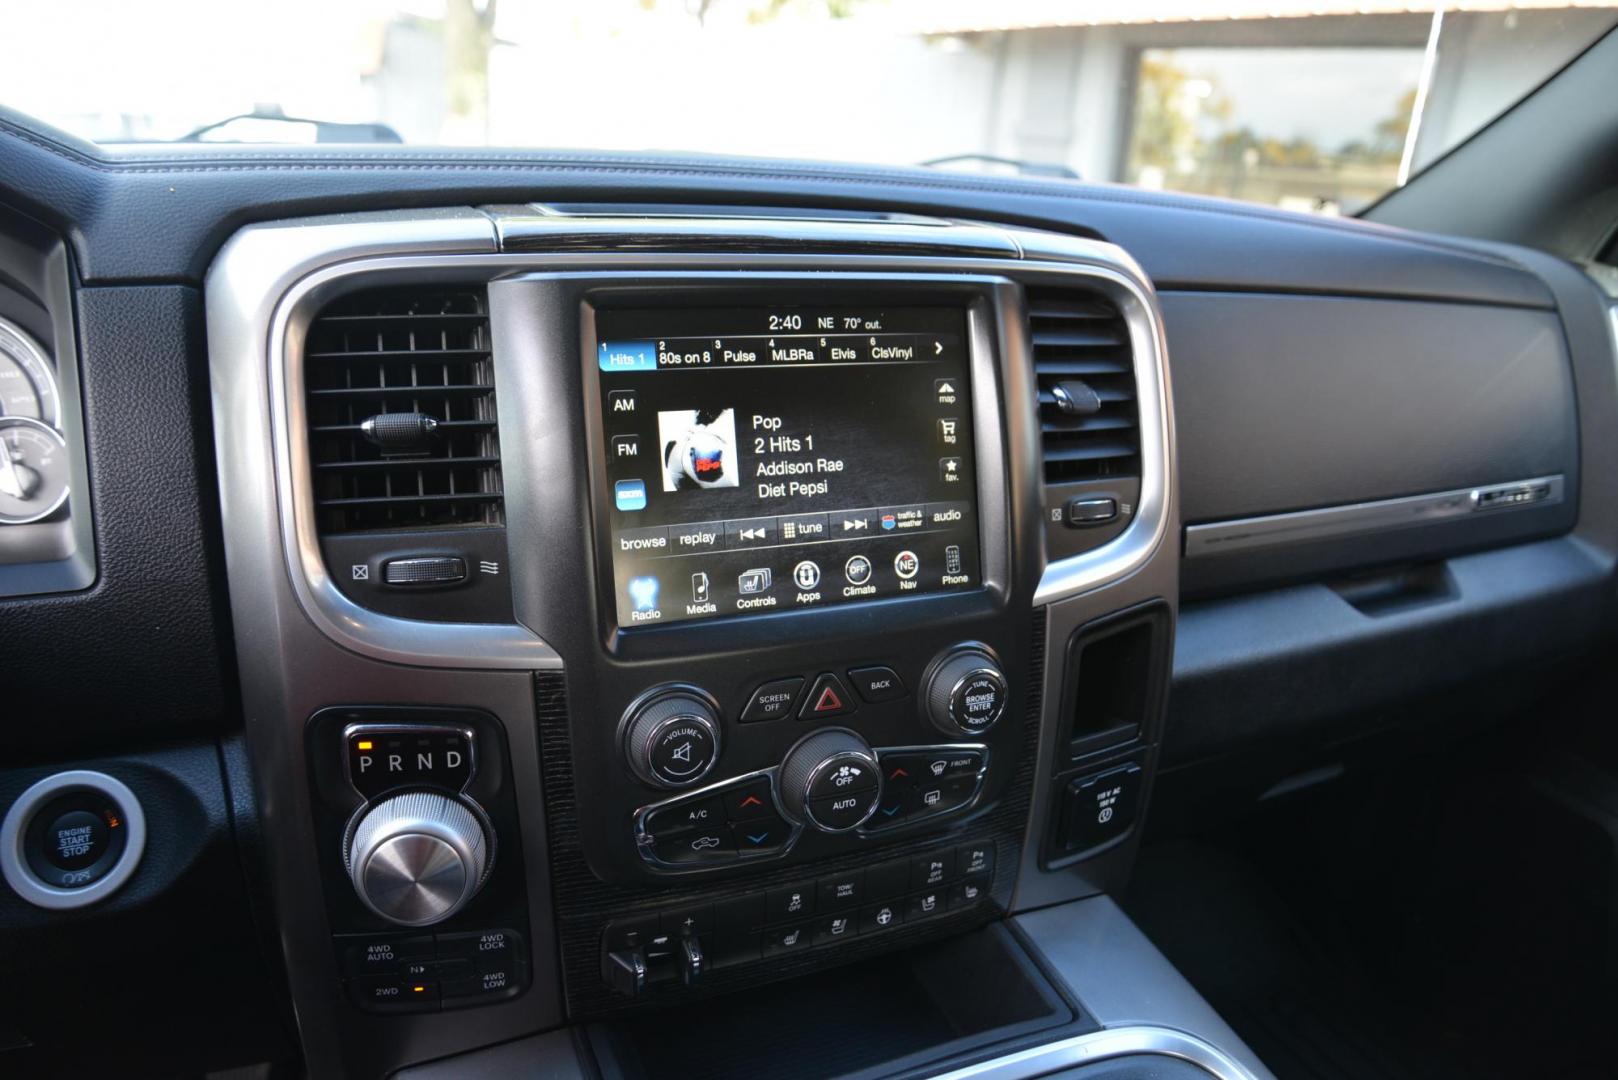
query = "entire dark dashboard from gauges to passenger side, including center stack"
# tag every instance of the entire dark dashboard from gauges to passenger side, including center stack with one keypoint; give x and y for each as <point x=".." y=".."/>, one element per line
<point x="535" y="603"/>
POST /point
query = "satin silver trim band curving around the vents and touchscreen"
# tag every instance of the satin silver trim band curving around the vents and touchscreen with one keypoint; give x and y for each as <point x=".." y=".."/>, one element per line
<point x="269" y="279"/>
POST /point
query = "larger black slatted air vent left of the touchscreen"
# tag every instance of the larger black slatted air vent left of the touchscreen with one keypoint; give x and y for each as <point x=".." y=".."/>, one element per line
<point x="402" y="412"/>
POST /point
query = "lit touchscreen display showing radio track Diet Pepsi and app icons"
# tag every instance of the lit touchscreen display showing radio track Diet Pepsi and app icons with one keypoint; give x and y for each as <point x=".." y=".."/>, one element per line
<point x="766" y="461"/>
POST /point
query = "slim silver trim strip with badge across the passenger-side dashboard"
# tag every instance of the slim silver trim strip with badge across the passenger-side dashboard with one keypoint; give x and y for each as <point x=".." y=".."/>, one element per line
<point x="1273" y="530"/>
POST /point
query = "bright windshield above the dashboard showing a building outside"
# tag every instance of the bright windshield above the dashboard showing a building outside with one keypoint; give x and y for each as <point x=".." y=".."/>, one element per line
<point x="1303" y="104"/>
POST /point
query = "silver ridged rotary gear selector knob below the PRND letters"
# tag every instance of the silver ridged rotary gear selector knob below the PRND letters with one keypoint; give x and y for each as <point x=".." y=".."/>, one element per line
<point x="418" y="859"/>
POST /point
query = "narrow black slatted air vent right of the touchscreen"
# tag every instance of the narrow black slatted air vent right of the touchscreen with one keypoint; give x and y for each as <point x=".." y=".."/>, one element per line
<point x="1090" y="425"/>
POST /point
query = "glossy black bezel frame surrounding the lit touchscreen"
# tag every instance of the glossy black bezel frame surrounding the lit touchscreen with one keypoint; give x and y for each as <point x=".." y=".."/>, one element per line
<point x="973" y="297"/>
